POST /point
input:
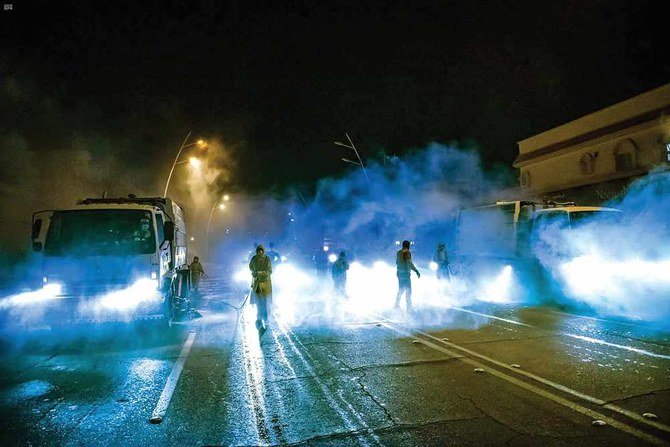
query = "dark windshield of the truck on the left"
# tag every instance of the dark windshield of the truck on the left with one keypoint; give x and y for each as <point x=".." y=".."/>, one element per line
<point x="100" y="232"/>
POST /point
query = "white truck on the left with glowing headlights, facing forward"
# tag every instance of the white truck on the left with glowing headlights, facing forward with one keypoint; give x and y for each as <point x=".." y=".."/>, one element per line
<point x="112" y="259"/>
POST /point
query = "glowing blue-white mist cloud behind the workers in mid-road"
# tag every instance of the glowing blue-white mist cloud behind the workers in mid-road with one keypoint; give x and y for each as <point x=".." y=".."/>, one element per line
<point x="417" y="198"/>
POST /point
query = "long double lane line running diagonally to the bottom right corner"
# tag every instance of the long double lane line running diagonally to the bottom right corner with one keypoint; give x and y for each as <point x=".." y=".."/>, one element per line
<point x="532" y="388"/>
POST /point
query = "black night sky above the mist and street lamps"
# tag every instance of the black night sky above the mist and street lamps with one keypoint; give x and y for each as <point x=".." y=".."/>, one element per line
<point x="279" y="81"/>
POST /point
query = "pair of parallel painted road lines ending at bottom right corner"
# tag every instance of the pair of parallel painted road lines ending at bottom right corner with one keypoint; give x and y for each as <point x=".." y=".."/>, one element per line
<point x="558" y="399"/>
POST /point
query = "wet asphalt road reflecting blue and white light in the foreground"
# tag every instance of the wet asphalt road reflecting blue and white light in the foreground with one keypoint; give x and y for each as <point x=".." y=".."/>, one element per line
<point x="485" y="375"/>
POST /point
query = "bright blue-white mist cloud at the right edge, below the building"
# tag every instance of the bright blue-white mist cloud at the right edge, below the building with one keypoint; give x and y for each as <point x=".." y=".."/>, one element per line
<point x="617" y="268"/>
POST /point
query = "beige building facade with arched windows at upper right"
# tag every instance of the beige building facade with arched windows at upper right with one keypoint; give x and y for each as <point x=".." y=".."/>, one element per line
<point x="594" y="158"/>
